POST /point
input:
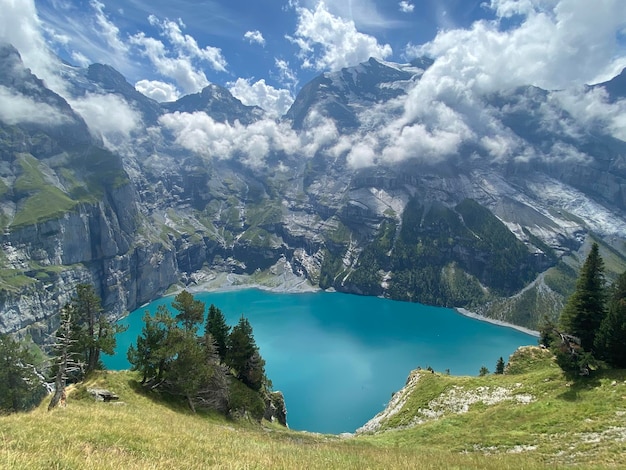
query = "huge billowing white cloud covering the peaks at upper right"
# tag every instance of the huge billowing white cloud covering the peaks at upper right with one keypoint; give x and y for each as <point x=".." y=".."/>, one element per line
<point x="549" y="44"/>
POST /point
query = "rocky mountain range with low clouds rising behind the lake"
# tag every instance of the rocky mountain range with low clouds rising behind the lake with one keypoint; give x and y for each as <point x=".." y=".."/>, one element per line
<point x="382" y="179"/>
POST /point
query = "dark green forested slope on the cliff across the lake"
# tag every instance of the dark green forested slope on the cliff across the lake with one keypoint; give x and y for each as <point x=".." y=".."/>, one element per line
<point x="442" y="256"/>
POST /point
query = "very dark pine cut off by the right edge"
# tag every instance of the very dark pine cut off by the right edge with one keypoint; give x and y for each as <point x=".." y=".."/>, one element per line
<point x="610" y="342"/>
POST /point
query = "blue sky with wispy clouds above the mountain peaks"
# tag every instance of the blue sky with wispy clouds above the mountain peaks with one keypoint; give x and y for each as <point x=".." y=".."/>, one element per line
<point x="250" y="40"/>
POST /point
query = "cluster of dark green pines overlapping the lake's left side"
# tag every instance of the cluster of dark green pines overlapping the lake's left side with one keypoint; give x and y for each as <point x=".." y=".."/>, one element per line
<point x="220" y="369"/>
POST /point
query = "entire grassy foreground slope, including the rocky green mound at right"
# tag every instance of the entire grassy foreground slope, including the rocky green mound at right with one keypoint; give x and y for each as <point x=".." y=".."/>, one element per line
<point x="529" y="418"/>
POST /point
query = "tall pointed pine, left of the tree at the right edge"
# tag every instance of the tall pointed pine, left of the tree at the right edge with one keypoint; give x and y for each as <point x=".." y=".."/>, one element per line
<point x="585" y="310"/>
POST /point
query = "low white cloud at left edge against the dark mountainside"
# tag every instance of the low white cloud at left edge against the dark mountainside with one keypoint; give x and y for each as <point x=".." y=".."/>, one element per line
<point x="16" y="108"/>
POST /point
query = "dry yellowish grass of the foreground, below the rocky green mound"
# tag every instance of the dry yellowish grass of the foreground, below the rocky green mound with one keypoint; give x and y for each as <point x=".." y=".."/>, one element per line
<point x="144" y="433"/>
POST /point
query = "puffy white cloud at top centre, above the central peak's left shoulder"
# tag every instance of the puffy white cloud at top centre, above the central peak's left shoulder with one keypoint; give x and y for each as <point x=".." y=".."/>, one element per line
<point x="329" y="42"/>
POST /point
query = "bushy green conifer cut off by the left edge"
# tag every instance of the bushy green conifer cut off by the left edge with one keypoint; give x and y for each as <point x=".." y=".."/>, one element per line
<point x="20" y="384"/>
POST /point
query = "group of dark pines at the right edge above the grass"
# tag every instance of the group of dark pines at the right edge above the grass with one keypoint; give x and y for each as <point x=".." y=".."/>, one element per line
<point x="592" y="326"/>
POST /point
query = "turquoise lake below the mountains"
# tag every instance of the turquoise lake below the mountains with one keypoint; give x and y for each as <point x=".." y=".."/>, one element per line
<point x="338" y="357"/>
